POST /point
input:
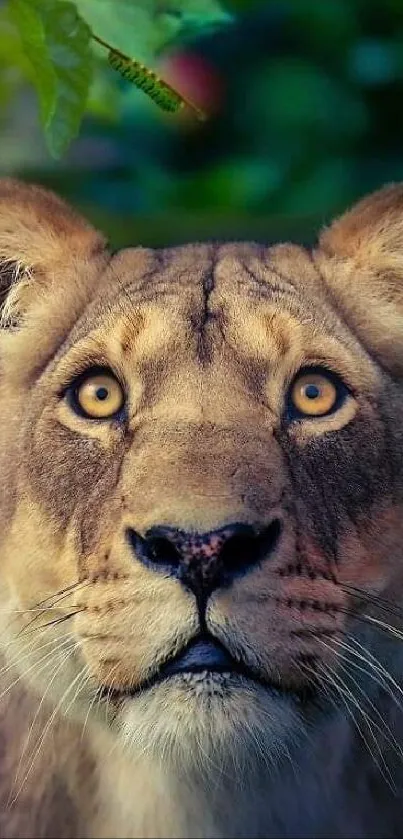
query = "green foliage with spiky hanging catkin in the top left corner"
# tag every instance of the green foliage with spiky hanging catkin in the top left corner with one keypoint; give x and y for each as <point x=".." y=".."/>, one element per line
<point x="56" y="41"/>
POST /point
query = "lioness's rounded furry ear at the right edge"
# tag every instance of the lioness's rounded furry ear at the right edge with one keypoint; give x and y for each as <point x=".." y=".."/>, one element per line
<point x="360" y="257"/>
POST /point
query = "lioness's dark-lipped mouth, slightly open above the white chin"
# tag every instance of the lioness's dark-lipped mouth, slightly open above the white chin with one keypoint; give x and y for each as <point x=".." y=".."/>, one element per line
<point x="205" y="656"/>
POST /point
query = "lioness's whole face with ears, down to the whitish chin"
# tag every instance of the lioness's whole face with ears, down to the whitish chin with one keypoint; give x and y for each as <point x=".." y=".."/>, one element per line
<point x="203" y="458"/>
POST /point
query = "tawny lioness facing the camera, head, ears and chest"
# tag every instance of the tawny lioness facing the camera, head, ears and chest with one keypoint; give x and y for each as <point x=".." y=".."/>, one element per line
<point x="201" y="530"/>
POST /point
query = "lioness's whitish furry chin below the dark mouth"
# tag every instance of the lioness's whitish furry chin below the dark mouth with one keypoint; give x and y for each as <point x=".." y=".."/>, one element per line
<point x="199" y="719"/>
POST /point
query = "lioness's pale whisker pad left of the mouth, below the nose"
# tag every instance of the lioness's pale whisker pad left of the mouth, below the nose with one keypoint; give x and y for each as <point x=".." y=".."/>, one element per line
<point x="127" y="626"/>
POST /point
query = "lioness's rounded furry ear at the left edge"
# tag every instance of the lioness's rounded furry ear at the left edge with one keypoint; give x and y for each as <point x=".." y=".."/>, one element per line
<point x="42" y="241"/>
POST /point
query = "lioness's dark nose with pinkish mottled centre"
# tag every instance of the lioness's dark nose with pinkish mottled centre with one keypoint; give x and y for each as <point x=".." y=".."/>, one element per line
<point x="204" y="562"/>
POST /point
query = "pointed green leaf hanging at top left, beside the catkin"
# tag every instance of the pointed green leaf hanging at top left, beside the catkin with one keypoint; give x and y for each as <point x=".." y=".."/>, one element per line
<point x="56" y="42"/>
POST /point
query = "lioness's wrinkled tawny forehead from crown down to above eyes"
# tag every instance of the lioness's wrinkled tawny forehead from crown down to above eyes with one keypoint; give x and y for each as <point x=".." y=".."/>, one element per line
<point x="259" y="299"/>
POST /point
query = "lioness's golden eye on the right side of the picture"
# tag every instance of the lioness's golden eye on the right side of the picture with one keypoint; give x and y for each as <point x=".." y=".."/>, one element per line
<point x="314" y="394"/>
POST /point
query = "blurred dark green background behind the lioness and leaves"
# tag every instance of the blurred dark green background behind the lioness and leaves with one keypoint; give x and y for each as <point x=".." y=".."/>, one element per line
<point x="305" y="101"/>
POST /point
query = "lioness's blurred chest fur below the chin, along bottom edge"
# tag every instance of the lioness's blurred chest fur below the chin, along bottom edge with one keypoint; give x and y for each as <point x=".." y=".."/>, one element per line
<point x="84" y="787"/>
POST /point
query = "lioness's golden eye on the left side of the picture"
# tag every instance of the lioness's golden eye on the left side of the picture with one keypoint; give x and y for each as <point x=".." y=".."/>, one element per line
<point x="100" y="396"/>
